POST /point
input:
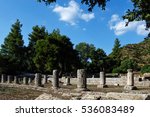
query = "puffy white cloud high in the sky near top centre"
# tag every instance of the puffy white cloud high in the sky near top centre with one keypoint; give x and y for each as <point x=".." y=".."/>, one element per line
<point x="72" y="13"/>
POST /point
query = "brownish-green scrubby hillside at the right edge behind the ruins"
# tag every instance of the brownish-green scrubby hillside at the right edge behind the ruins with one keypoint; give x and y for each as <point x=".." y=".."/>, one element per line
<point x="140" y="52"/>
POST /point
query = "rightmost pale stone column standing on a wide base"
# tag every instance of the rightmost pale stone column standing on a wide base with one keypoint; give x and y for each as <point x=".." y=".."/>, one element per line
<point x="130" y="81"/>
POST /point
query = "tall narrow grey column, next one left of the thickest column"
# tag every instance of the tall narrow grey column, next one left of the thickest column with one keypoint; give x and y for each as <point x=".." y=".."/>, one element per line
<point x="55" y="81"/>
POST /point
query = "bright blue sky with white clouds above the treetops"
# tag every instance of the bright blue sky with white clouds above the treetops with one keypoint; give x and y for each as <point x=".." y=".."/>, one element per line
<point x="73" y="19"/>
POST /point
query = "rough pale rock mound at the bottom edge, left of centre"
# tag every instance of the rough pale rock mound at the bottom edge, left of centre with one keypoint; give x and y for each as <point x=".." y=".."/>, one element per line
<point x="46" y="96"/>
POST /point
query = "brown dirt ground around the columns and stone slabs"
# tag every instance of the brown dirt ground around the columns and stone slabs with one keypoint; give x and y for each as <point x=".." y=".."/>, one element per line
<point x="8" y="92"/>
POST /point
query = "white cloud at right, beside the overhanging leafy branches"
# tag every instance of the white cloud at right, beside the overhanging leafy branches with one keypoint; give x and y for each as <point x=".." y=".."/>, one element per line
<point x="119" y="27"/>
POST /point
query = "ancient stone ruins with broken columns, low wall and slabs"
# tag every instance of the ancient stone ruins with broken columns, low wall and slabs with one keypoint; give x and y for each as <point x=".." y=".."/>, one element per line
<point x="79" y="87"/>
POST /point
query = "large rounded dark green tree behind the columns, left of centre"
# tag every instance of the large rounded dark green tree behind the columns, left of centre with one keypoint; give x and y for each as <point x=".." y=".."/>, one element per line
<point x="55" y="52"/>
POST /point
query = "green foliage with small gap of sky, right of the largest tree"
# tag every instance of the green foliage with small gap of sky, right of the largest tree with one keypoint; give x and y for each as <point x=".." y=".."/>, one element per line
<point x="91" y="58"/>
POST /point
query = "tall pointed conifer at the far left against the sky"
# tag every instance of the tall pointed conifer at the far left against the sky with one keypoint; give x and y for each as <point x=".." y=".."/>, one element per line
<point x="12" y="49"/>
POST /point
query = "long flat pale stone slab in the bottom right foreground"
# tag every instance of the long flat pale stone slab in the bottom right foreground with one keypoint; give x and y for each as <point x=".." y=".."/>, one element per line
<point x="128" y="96"/>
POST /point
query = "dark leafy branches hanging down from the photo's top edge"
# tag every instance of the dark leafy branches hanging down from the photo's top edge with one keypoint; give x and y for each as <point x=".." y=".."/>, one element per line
<point x="140" y="11"/>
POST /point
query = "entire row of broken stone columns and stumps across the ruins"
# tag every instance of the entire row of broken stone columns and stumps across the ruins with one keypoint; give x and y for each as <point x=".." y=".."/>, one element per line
<point x="81" y="80"/>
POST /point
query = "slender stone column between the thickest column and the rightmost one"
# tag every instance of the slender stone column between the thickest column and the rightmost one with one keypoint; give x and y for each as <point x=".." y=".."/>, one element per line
<point x="102" y="80"/>
